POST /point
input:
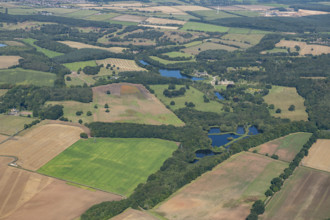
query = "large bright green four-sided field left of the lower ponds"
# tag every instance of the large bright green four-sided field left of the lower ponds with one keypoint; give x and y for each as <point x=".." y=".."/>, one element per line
<point x="112" y="164"/>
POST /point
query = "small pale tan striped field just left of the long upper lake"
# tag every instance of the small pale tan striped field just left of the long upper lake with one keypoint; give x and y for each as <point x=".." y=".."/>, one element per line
<point x="122" y="64"/>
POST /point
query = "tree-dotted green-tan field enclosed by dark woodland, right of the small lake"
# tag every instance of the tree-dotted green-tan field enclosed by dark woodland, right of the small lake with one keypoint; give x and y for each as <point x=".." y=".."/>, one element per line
<point x="282" y="97"/>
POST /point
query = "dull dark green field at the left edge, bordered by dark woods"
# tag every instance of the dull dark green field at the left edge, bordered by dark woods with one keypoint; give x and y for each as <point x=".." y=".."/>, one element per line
<point x="25" y="77"/>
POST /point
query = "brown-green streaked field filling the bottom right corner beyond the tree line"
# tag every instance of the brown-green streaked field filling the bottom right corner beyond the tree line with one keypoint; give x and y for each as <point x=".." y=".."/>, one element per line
<point x="305" y="195"/>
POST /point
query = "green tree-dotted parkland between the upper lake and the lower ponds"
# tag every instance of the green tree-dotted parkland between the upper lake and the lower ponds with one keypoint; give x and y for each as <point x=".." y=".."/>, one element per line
<point x="191" y="95"/>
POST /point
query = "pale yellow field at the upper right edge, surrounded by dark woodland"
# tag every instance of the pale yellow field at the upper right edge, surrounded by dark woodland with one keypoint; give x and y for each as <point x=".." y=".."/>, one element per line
<point x="304" y="48"/>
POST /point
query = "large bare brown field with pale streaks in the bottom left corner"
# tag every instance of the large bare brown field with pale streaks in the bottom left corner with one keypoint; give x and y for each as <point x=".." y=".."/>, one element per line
<point x="28" y="195"/>
